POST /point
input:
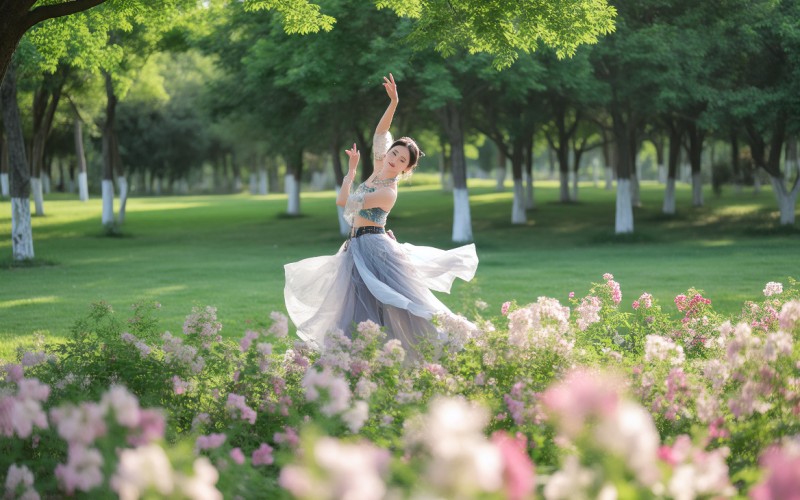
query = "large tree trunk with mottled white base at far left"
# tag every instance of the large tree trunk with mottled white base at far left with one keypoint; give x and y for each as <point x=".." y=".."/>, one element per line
<point x="21" y="232"/>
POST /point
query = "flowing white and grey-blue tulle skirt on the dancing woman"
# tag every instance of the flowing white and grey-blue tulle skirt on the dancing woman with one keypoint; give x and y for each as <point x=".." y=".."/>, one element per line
<point x="373" y="277"/>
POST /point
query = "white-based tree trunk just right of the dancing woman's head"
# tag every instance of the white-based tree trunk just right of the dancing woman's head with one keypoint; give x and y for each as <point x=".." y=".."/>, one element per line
<point x="462" y="219"/>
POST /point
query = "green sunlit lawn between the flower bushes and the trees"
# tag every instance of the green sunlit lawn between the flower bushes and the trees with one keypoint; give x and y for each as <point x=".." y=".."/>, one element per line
<point x="229" y="252"/>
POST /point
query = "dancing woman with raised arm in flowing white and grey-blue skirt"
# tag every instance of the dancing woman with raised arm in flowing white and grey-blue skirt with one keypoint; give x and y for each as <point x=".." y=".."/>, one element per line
<point x="373" y="277"/>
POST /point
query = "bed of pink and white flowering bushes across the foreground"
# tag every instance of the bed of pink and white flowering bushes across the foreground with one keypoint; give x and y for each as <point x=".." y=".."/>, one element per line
<point x="597" y="398"/>
